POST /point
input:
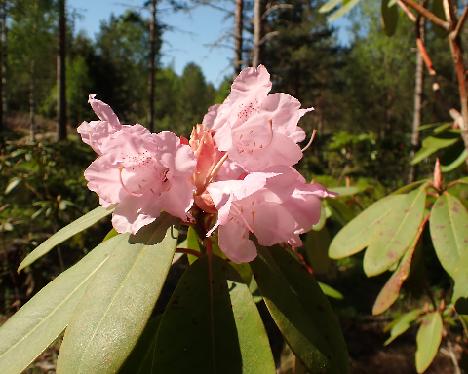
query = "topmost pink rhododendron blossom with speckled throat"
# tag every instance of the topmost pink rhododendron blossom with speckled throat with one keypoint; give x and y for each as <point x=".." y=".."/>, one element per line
<point x="258" y="130"/>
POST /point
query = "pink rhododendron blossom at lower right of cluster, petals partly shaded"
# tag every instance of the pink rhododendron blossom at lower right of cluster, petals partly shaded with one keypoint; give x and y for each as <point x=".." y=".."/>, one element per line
<point x="276" y="206"/>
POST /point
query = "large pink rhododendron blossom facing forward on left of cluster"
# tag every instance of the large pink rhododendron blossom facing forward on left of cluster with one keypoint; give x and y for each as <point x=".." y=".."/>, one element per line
<point x="142" y="174"/>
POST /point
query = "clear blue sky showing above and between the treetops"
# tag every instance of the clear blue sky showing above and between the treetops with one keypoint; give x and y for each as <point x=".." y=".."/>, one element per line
<point x="190" y="38"/>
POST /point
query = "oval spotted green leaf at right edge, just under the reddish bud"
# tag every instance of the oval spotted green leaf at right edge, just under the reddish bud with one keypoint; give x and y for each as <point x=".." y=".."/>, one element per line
<point x="449" y="232"/>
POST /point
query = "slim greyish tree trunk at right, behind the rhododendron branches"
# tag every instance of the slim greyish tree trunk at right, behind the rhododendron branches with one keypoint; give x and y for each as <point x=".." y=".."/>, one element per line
<point x="418" y="97"/>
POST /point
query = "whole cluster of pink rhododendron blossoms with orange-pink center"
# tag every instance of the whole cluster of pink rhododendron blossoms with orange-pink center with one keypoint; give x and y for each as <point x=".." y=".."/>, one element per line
<point x="236" y="167"/>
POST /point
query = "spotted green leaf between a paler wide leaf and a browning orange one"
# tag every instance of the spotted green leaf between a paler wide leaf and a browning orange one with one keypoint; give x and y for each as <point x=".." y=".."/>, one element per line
<point x="394" y="233"/>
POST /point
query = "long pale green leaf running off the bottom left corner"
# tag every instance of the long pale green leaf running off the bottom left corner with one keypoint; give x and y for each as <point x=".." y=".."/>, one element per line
<point x="41" y="320"/>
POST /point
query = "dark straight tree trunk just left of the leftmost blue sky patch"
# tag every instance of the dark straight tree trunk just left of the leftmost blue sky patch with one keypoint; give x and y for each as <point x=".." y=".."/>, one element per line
<point x="62" y="104"/>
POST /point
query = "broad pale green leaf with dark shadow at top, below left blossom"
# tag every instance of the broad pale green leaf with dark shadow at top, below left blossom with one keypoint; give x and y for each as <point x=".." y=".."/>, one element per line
<point x="113" y="312"/>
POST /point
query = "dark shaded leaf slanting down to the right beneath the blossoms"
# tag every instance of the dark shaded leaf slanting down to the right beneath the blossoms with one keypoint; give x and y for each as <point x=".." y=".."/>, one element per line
<point x="300" y="310"/>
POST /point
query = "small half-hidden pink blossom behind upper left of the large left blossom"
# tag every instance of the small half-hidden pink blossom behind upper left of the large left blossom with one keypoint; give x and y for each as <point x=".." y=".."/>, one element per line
<point x="95" y="133"/>
